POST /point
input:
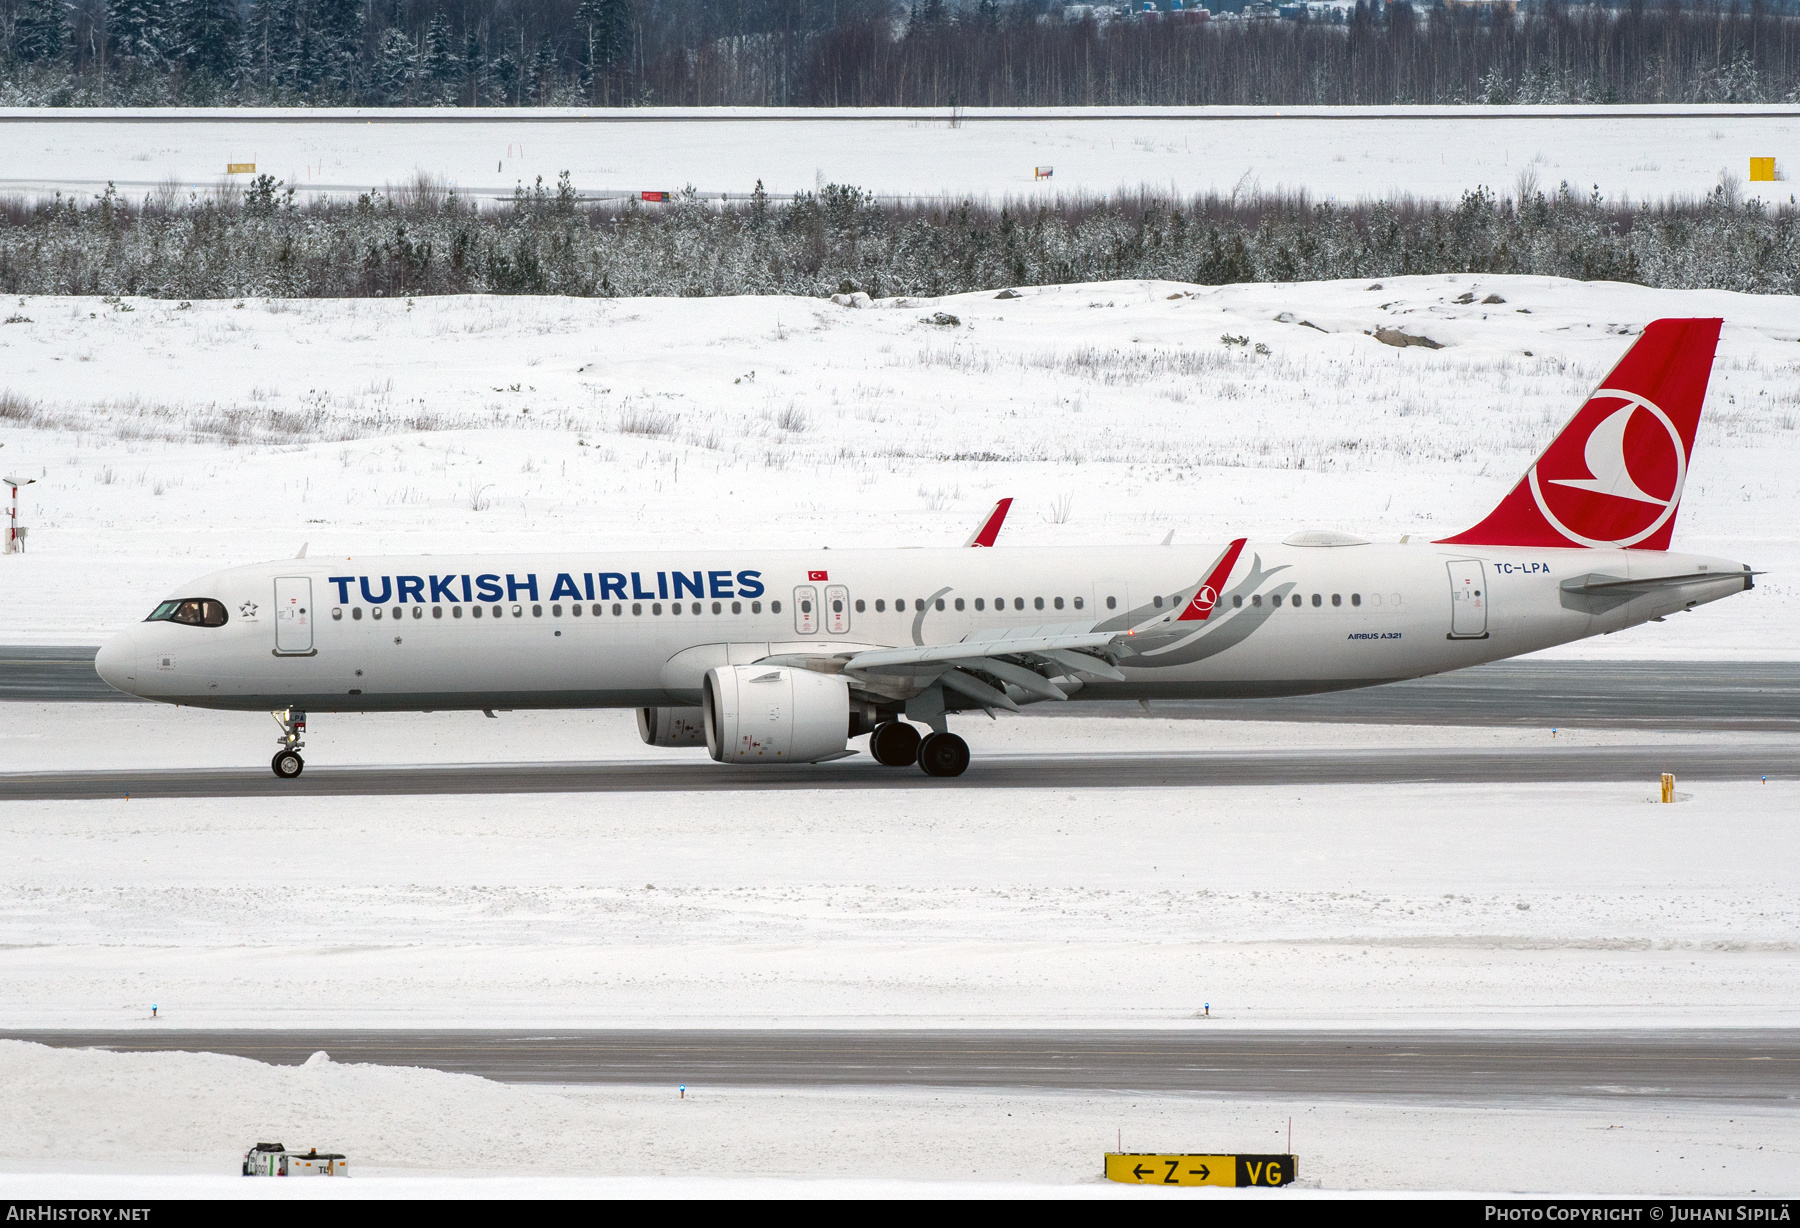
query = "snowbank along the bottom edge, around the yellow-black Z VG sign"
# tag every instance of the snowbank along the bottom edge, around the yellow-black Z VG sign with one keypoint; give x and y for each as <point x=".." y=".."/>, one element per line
<point x="409" y="1133"/>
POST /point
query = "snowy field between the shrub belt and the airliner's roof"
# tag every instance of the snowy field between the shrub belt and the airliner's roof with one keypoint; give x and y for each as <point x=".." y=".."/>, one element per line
<point x="170" y="440"/>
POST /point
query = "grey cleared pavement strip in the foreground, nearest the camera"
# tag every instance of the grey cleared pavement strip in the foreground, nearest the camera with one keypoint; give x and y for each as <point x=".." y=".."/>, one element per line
<point x="1759" y="1067"/>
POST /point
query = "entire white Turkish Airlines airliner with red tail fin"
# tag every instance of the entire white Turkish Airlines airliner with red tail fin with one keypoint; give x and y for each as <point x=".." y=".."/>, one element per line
<point x="786" y="656"/>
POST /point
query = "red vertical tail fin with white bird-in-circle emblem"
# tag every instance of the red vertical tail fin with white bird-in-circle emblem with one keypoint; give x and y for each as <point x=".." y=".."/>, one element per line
<point x="1614" y="478"/>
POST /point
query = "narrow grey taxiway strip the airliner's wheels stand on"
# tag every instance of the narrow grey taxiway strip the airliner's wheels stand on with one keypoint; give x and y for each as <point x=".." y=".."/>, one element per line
<point x="1003" y="772"/>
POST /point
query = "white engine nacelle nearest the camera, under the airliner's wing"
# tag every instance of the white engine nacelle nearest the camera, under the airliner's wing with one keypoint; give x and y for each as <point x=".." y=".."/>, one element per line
<point x="759" y="714"/>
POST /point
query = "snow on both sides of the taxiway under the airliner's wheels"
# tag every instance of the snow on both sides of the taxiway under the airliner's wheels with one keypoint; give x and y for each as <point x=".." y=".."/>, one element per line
<point x="1282" y="907"/>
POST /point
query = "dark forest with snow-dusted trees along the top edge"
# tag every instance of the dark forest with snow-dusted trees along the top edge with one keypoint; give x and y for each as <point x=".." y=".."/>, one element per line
<point x="876" y="53"/>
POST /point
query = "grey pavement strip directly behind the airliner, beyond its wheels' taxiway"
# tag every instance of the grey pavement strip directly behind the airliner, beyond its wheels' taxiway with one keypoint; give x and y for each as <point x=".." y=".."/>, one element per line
<point x="1572" y="694"/>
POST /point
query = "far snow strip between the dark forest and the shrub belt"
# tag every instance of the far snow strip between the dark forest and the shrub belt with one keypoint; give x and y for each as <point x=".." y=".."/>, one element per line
<point x="1333" y="154"/>
